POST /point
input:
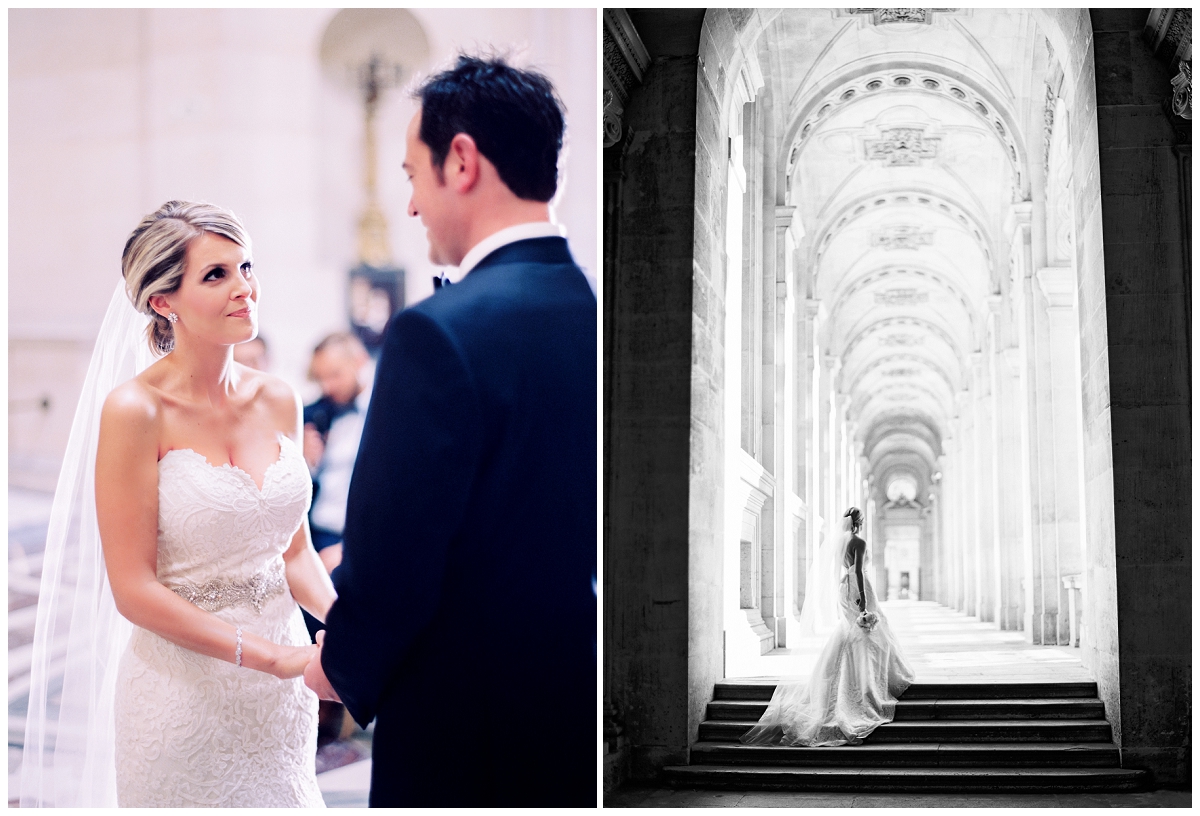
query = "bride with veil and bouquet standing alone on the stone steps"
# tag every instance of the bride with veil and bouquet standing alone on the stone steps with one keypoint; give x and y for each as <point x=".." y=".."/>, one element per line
<point x="860" y="673"/>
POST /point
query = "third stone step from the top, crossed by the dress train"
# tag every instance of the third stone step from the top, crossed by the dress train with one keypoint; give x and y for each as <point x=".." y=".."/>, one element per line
<point x="951" y="731"/>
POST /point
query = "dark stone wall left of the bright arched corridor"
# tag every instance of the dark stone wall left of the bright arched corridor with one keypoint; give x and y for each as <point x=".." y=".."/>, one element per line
<point x="649" y="347"/>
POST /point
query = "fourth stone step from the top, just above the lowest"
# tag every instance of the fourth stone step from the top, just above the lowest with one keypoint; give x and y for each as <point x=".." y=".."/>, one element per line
<point x="929" y="755"/>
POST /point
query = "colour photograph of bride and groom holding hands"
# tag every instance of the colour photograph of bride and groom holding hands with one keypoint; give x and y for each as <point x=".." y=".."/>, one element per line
<point x="303" y="407"/>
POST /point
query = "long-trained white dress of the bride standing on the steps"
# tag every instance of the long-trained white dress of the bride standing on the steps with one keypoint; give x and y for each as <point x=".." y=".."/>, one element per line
<point x="854" y="687"/>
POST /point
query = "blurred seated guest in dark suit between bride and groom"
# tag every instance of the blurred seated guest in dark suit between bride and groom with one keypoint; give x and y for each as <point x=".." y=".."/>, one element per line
<point x="333" y="427"/>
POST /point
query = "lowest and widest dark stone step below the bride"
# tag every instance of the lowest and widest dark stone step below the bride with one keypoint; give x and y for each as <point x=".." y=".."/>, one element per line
<point x="1007" y="781"/>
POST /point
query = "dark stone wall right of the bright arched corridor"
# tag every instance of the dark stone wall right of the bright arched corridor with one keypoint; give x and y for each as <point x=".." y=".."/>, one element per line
<point x="1148" y="274"/>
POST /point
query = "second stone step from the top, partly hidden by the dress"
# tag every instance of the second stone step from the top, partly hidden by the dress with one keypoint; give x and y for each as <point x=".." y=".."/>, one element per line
<point x="945" y="710"/>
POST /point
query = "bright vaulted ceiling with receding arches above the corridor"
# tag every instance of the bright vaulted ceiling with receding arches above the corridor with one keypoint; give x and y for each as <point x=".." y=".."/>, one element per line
<point x="902" y="151"/>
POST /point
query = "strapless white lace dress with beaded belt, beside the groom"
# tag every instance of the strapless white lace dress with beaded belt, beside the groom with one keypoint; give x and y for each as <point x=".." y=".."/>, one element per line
<point x="193" y="730"/>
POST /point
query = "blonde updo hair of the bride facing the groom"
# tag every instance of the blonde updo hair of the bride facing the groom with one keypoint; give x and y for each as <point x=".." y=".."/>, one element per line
<point x="153" y="261"/>
